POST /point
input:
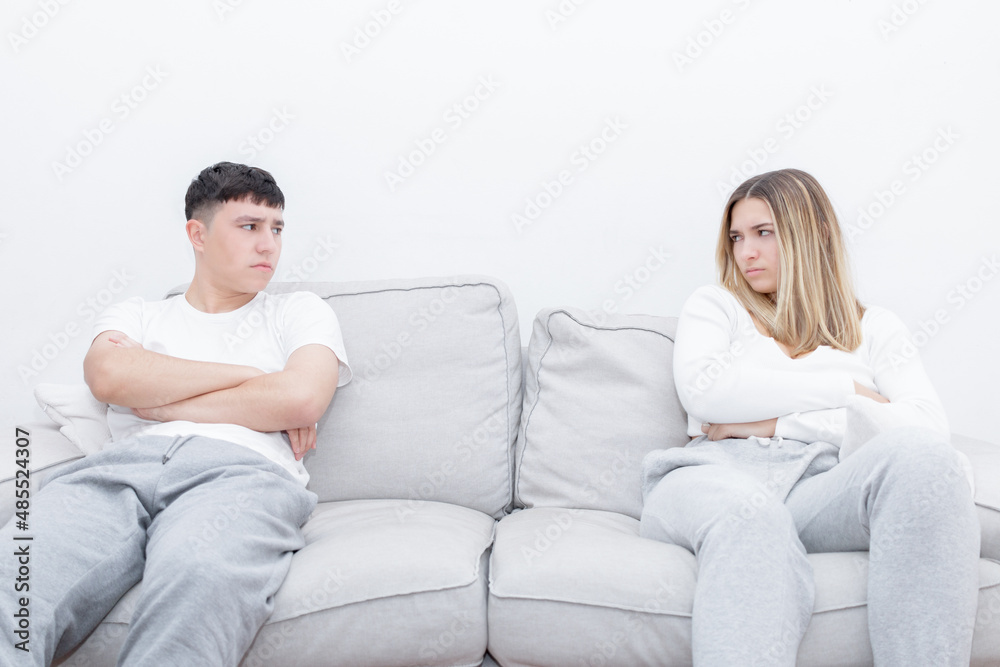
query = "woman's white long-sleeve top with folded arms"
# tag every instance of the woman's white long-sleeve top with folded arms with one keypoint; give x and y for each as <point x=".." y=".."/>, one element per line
<point x="727" y="372"/>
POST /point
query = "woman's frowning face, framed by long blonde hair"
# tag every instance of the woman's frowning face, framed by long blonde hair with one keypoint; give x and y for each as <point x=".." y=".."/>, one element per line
<point x="755" y="245"/>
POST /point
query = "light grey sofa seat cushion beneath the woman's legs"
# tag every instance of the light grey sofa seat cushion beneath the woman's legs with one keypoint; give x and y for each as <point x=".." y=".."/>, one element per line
<point x="580" y="587"/>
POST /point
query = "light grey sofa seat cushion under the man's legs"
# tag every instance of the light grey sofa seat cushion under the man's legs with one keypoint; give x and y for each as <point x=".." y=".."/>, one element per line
<point x="379" y="582"/>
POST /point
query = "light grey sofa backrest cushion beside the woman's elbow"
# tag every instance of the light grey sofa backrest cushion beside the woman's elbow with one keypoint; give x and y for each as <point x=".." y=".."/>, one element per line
<point x="599" y="395"/>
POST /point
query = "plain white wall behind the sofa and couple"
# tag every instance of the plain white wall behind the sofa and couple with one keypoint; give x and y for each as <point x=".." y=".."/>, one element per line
<point x="854" y="92"/>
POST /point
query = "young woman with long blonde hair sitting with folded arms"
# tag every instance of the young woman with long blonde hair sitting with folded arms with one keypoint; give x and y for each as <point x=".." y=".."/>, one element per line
<point x="784" y="374"/>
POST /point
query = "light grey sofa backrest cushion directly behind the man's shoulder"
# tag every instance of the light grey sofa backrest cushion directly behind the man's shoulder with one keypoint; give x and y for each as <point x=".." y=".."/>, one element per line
<point x="434" y="406"/>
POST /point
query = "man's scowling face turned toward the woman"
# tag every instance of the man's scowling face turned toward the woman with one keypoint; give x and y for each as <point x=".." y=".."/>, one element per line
<point x="242" y="245"/>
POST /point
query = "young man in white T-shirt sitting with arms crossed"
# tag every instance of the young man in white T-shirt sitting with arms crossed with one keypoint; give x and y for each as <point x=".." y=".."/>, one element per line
<point x="214" y="396"/>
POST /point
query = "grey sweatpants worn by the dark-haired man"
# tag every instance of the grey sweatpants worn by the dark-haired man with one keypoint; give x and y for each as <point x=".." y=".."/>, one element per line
<point x="208" y="526"/>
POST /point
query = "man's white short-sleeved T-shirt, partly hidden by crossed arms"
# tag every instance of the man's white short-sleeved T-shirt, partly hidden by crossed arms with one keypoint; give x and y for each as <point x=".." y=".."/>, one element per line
<point x="263" y="334"/>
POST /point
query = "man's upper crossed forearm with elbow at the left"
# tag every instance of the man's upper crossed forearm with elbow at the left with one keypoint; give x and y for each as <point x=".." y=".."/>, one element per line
<point x="137" y="378"/>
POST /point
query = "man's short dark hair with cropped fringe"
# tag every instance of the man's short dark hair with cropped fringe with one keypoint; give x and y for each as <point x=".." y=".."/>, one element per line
<point x="227" y="181"/>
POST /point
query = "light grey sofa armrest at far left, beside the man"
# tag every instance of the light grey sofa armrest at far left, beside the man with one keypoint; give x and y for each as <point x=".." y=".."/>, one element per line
<point x="49" y="450"/>
